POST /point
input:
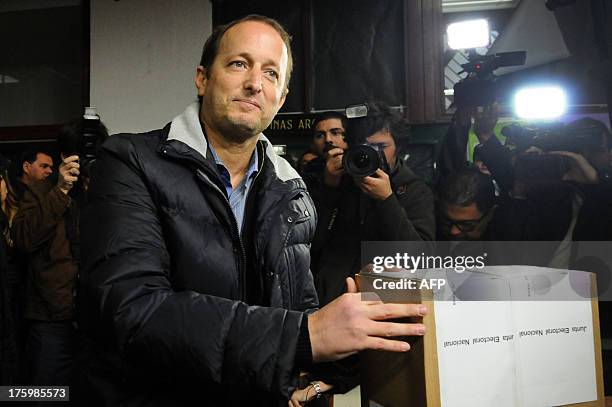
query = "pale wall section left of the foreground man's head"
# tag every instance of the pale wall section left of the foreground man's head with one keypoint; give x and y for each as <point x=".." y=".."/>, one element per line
<point x="143" y="59"/>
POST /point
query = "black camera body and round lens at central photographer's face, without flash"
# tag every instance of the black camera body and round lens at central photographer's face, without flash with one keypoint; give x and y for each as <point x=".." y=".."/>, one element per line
<point x="363" y="160"/>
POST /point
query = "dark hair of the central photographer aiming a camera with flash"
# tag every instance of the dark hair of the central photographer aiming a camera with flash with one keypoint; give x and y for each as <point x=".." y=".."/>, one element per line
<point x="381" y="117"/>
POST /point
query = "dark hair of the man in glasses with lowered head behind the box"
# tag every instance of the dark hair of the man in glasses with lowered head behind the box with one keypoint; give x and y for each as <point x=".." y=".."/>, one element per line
<point x="465" y="187"/>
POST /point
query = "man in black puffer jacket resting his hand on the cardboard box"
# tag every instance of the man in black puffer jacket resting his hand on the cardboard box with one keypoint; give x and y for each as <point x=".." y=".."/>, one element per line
<point x="195" y="282"/>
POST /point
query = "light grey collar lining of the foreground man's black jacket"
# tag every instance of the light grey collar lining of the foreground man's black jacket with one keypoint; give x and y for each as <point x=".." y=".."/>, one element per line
<point x="186" y="128"/>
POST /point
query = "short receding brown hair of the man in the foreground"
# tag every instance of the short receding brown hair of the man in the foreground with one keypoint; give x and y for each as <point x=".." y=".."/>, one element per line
<point x="211" y="47"/>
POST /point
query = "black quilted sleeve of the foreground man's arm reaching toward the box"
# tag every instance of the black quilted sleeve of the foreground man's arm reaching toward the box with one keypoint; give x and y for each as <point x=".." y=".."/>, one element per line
<point x="129" y="302"/>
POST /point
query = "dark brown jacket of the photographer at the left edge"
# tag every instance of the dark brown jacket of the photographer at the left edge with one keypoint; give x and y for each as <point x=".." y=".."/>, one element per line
<point x="39" y="230"/>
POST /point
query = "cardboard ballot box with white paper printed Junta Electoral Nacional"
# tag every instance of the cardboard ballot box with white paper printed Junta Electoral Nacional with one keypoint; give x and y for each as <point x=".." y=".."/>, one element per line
<point x="502" y="336"/>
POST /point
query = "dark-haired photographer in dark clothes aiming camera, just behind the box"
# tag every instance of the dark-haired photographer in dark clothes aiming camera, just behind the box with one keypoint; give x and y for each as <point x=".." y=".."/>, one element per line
<point x="393" y="206"/>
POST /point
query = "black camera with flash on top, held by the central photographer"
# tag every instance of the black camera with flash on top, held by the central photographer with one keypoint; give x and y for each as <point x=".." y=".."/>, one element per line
<point x="363" y="159"/>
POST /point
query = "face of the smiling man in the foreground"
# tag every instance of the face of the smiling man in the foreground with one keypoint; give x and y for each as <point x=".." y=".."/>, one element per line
<point x="244" y="88"/>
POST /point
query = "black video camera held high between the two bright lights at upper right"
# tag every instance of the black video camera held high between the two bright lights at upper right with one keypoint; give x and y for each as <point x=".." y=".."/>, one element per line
<point x="479" y="88"/>
